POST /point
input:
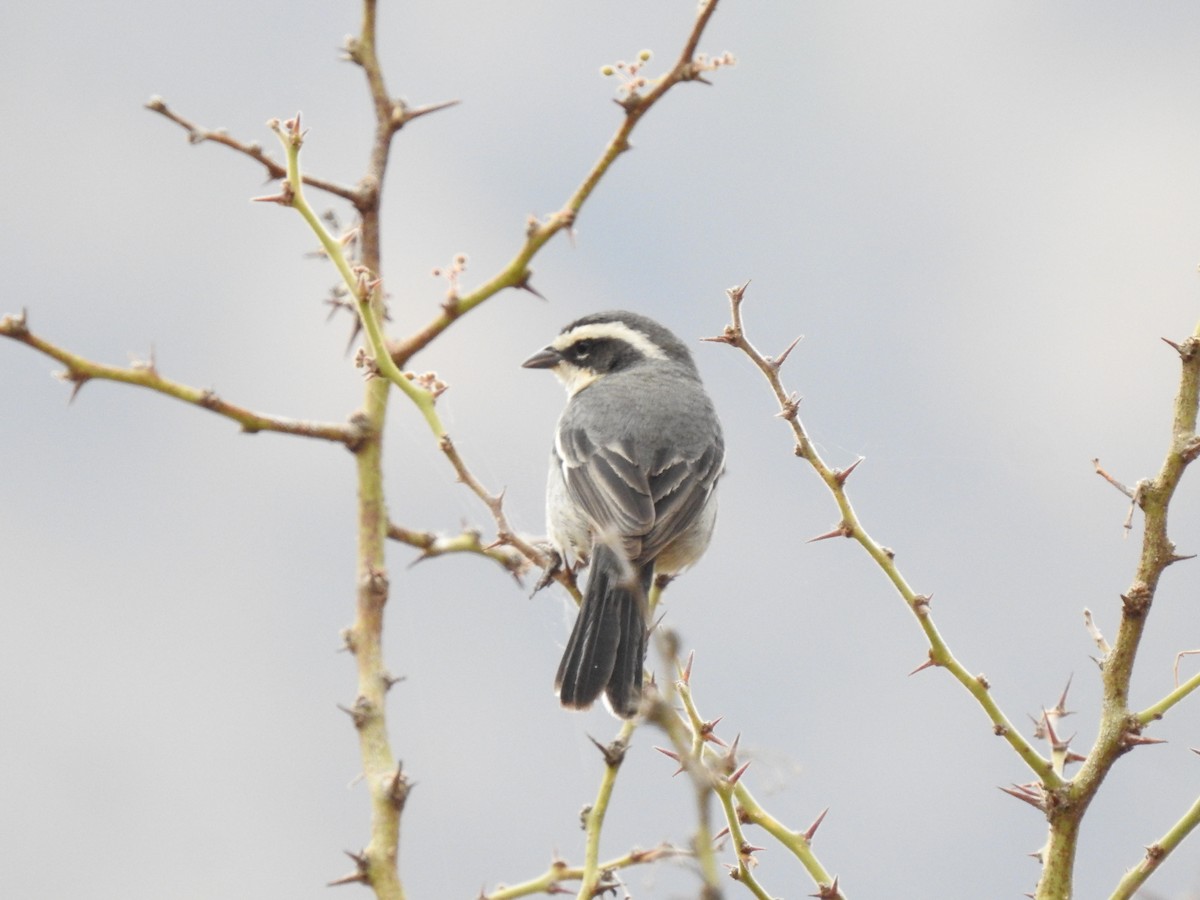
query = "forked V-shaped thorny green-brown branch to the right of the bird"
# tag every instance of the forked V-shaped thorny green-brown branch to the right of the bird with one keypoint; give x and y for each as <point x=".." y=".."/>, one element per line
<point x="1064" y="800"/>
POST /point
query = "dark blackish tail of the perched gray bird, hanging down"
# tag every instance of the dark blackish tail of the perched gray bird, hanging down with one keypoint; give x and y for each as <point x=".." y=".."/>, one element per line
<point x="608" y="646"/>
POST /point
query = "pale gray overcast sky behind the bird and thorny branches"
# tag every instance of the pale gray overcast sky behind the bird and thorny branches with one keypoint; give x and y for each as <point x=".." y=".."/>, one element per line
<point x="982" y="217"/>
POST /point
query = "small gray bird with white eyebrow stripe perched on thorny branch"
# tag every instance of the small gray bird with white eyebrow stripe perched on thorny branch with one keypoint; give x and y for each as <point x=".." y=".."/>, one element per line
<point x="632" y="489"/>
